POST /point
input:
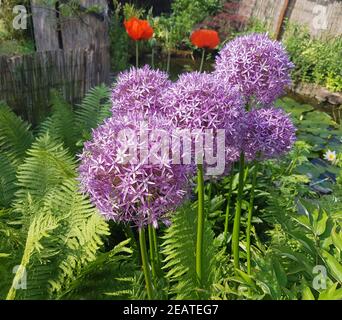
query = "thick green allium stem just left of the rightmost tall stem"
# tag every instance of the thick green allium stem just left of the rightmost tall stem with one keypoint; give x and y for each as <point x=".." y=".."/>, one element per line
<point x="236" y="227"/>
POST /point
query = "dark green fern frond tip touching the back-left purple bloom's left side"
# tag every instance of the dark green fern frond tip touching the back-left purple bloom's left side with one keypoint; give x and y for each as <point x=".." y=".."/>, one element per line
<point x="94" y="109"/>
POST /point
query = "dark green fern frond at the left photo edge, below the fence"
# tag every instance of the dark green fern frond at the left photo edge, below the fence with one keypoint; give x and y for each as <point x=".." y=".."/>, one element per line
<point x="15" y="135"/>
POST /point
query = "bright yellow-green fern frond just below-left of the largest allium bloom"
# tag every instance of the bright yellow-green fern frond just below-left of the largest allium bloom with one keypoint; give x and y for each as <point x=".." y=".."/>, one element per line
<point x="83" y="229"/>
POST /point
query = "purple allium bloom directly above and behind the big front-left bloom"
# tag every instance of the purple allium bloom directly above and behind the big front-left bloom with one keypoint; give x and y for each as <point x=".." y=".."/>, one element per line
<point x="138" y="90"/>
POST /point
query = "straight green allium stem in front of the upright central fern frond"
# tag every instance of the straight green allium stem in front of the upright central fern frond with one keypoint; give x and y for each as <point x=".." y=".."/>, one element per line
<point x="200" y="222"/>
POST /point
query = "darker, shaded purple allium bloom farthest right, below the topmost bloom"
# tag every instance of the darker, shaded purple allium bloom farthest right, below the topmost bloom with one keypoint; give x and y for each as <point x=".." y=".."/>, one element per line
<point x="269" y="133"/>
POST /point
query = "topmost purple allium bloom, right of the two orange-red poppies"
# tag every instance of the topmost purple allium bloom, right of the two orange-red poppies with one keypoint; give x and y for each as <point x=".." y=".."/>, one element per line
<point x="259" y="67"/>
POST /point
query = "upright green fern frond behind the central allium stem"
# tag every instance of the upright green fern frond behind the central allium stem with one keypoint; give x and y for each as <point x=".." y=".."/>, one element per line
<point x="180" y="260"/>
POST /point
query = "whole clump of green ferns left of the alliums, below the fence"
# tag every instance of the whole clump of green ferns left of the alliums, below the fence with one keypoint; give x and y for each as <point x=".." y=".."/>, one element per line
<point x="48" y="229"/>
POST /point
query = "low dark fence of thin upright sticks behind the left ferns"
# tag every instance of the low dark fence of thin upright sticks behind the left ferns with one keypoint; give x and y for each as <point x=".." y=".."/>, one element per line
<point x="25" y="81"/>
